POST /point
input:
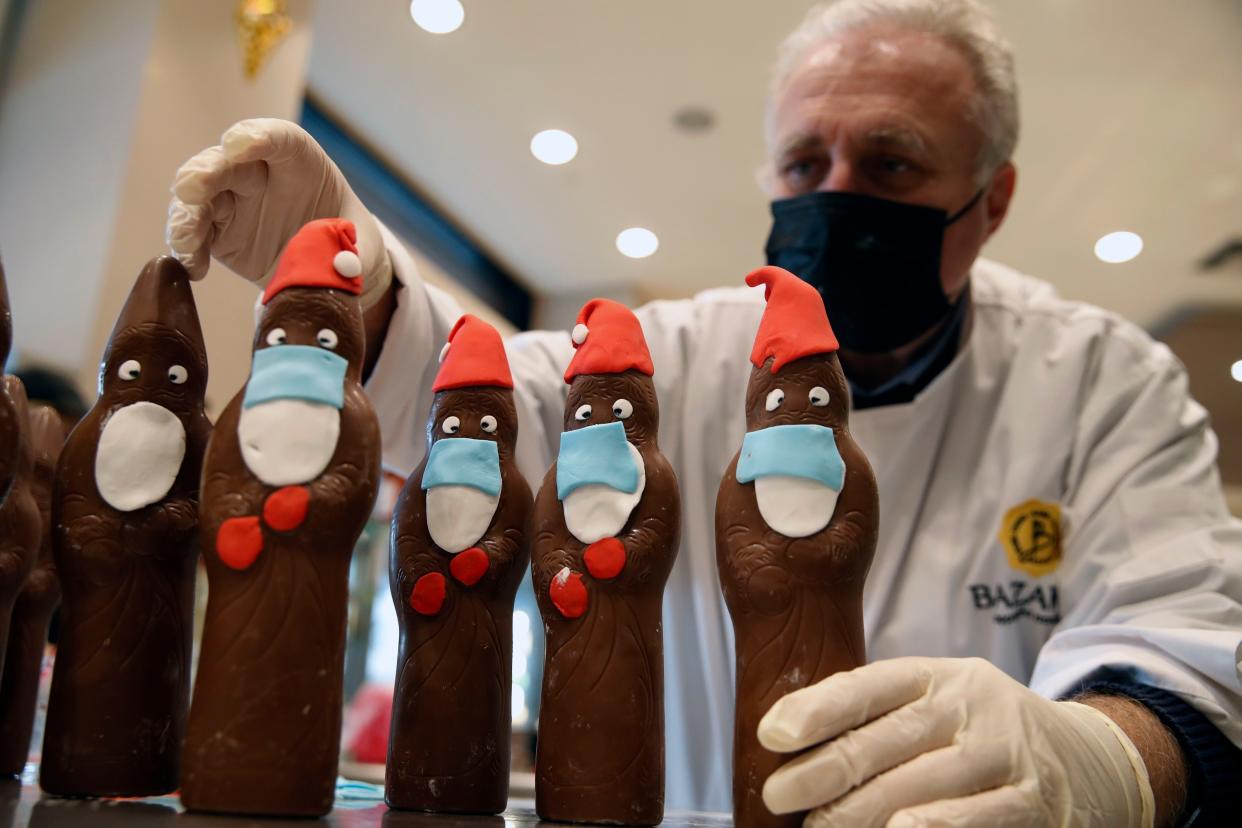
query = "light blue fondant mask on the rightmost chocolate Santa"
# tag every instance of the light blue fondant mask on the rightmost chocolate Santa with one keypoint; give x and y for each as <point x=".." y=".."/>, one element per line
<point x="802" y="450"/>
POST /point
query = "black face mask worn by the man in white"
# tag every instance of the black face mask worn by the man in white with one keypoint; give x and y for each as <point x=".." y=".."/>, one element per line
<point x="876" y="264"/>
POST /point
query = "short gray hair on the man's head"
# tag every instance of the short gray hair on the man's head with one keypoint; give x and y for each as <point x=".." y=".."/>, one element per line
<point x="967" y="25"/>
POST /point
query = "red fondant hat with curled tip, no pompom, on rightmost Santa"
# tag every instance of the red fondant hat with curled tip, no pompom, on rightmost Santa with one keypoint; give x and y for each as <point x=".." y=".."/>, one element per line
<point x="796" y="323"/>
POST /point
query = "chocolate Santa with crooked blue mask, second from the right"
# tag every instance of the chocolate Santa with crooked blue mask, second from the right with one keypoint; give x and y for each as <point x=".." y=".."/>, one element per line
<point x="608" y="521"/>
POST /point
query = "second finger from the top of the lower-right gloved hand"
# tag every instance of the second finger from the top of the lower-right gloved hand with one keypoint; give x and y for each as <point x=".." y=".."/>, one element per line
<point x="850" y="760"/>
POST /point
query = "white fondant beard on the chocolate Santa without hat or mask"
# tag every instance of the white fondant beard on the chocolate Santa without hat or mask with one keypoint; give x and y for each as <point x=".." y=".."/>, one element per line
<point x="140" y="455"/>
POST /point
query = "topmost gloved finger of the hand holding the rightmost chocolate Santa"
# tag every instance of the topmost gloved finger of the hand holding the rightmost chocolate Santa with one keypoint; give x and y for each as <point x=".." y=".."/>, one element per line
<point x="841" y="703"/>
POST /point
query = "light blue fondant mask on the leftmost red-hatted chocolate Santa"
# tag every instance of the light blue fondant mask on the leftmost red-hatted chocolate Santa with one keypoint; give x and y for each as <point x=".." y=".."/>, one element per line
<point x="296" y="373"/>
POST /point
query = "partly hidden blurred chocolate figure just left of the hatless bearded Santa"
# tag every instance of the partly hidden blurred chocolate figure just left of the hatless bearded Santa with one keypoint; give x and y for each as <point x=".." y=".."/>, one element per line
<point x="32" y="614"/>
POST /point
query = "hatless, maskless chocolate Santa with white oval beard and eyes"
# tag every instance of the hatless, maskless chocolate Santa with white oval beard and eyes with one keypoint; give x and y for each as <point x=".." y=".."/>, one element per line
<point x="125" y="516"/>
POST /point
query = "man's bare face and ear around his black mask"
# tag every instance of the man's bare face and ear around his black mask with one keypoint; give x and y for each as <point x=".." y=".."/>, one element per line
<point x="887" y="114"/>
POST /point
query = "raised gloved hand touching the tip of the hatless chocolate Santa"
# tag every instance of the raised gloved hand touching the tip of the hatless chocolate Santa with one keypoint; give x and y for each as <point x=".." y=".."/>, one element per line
<point x="243" y="200"/>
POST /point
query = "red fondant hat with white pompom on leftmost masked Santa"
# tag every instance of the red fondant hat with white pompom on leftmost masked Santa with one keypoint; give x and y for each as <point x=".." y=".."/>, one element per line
<point x="322" y="255"/>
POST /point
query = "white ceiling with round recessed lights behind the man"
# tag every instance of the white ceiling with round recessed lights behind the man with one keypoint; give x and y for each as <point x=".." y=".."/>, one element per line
<point x="1132" y="120"/>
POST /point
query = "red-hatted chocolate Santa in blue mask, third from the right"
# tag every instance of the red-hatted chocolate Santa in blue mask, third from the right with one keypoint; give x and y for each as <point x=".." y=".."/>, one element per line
<point x="458" y="556"/>
